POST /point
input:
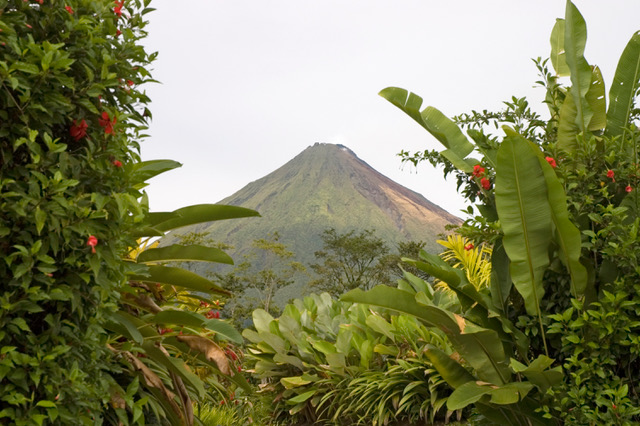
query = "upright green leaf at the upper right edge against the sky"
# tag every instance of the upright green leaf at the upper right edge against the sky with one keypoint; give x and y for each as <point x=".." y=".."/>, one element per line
<point x="625" y="84"/>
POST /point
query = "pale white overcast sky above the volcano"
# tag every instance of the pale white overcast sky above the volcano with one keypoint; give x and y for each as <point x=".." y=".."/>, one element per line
<point x="249" y="84"/>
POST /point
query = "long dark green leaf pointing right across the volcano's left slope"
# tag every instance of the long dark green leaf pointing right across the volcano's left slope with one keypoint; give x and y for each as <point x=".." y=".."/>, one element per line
<point x="201" y="213"/>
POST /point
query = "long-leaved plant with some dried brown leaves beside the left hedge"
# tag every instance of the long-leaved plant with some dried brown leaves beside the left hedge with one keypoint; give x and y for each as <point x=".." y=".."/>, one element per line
<point x="168" y="328"/>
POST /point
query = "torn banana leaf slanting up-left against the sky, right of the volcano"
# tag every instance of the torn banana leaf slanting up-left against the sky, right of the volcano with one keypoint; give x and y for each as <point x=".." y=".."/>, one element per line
<point x="436" y="123"/>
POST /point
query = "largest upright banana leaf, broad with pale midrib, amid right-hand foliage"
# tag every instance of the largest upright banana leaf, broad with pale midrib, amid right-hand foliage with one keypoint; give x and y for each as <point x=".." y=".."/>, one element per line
<point x="525" y="217"/>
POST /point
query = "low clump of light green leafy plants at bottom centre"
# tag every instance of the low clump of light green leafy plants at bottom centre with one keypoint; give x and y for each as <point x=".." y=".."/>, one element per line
<point x="329" y="362"/>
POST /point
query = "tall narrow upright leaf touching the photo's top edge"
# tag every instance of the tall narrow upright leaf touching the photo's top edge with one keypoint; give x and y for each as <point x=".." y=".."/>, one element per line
<point x="575" y="39"/>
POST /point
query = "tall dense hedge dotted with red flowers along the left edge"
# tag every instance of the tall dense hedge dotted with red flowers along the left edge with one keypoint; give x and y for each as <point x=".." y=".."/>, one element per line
<point x="71" y="117"/>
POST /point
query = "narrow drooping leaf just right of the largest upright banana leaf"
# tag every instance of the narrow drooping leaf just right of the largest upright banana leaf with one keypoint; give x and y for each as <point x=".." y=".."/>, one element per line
<point x="567" y="235"/>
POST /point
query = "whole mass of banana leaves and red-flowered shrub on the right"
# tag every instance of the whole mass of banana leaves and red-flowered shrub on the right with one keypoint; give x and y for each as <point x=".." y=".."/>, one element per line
<point x="551" y="339"/>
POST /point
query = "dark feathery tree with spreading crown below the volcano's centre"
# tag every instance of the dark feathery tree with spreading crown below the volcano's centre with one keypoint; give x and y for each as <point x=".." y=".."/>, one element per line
<point x="351" y="260"/>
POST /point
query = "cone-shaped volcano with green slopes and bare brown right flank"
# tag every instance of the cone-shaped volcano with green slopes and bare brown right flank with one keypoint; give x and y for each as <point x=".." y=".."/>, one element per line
<point x="327" y="186"/>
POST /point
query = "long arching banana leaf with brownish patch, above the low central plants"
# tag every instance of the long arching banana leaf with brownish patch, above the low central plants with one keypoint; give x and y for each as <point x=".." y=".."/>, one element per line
<point x="480" y="347"/>
